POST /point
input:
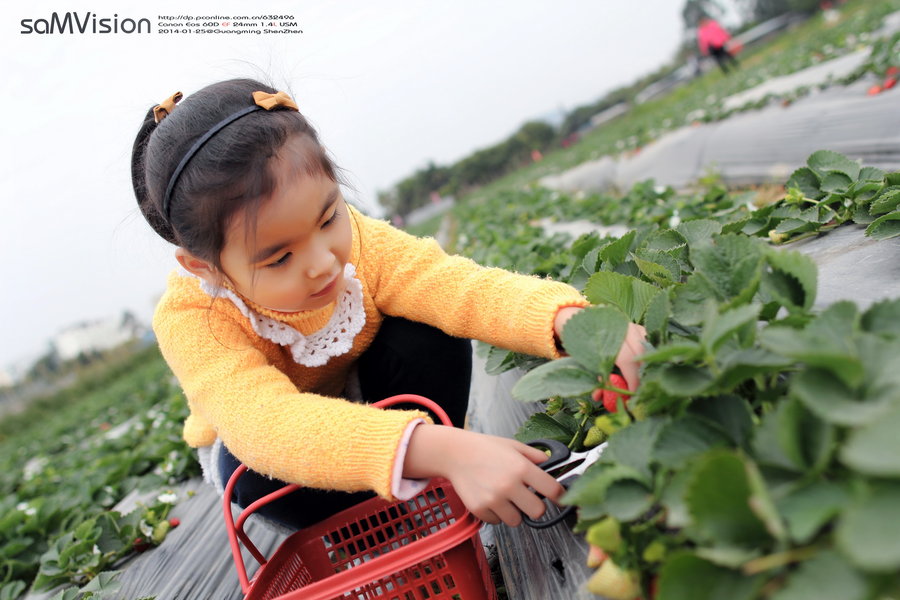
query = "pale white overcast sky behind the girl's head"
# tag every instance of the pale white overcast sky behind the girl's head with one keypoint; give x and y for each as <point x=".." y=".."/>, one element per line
<point x="389" y="86"/>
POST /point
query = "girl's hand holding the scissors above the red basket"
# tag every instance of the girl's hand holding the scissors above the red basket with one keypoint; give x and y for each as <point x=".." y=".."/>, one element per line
<point x="492" y="475"/>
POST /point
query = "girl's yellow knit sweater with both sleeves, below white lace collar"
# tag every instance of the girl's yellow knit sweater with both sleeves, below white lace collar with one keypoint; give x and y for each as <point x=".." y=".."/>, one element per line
<point x="286" y="420"/>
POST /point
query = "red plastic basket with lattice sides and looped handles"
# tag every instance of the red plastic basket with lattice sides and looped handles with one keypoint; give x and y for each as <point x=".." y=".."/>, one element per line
<point x="425" y="547"/>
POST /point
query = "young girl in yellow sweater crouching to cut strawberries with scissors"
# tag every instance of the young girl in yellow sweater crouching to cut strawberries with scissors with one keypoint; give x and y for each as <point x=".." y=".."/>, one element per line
<point x="290" y="304"/>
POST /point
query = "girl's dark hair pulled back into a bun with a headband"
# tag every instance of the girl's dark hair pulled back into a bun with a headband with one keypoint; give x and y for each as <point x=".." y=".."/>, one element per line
<point x="230" y="173"/>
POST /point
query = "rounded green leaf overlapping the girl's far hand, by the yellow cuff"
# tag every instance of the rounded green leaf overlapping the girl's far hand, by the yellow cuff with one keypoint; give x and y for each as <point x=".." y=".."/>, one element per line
<point x="593" y="337"/>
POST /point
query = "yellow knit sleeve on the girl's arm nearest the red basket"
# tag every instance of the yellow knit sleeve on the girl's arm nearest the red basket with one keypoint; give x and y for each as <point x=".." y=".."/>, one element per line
<point x="260" y="415"/>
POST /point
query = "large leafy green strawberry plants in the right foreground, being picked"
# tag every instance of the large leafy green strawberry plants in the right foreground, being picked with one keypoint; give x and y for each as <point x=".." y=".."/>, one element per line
<point x="758" y="458"/>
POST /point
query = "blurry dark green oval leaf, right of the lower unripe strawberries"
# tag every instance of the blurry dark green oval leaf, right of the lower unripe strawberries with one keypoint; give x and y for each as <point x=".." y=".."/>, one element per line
<point x="718" y="499"/>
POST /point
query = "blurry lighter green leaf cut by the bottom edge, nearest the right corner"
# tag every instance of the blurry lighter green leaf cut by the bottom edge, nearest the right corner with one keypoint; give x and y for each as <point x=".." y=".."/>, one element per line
<point x="827" y="576"/>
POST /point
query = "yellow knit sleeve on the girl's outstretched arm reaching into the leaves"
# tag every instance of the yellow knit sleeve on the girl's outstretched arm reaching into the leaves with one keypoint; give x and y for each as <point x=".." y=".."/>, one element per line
<point x="417" y="280"/>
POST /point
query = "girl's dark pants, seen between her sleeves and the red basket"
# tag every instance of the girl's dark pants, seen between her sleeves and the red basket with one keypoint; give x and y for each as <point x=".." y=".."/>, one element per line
<point x="405" y="358"/>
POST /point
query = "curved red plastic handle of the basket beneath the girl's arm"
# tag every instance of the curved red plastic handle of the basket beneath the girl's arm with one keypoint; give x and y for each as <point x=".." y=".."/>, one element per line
<point x="235" y="528"/>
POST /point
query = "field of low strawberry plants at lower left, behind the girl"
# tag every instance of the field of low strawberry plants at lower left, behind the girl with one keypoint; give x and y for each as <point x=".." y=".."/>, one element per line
<point x="65" y="466"/>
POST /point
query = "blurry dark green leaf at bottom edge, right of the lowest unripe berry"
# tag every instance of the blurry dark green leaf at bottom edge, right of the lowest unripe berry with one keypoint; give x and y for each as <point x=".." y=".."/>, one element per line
<point x="685" y="576"/>
